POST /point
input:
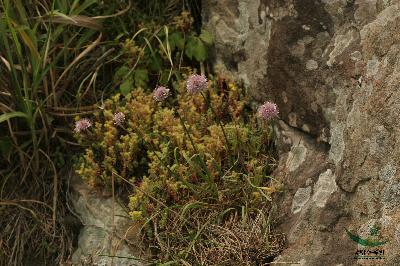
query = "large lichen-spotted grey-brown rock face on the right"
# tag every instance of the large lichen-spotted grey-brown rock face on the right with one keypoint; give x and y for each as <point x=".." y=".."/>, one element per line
<point x="333" y="68"/>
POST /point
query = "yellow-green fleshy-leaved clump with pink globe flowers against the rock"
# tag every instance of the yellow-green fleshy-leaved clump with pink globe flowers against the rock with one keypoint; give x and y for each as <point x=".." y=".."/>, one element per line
<point x="195" y="160"/>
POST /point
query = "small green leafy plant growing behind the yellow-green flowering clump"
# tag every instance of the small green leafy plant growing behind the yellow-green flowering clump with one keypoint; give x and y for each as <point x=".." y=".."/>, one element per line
<point x="155" y="53"/>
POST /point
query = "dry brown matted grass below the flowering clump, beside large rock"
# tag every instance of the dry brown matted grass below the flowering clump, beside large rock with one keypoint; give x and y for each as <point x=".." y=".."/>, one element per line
<point x="239" y="242"/>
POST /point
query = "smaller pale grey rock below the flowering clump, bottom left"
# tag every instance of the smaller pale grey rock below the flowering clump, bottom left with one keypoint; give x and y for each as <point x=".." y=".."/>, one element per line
<point x="106" y="231"/>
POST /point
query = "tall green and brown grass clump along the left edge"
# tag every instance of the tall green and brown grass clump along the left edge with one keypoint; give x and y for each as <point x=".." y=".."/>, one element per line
<point x="45" y="48"/>
